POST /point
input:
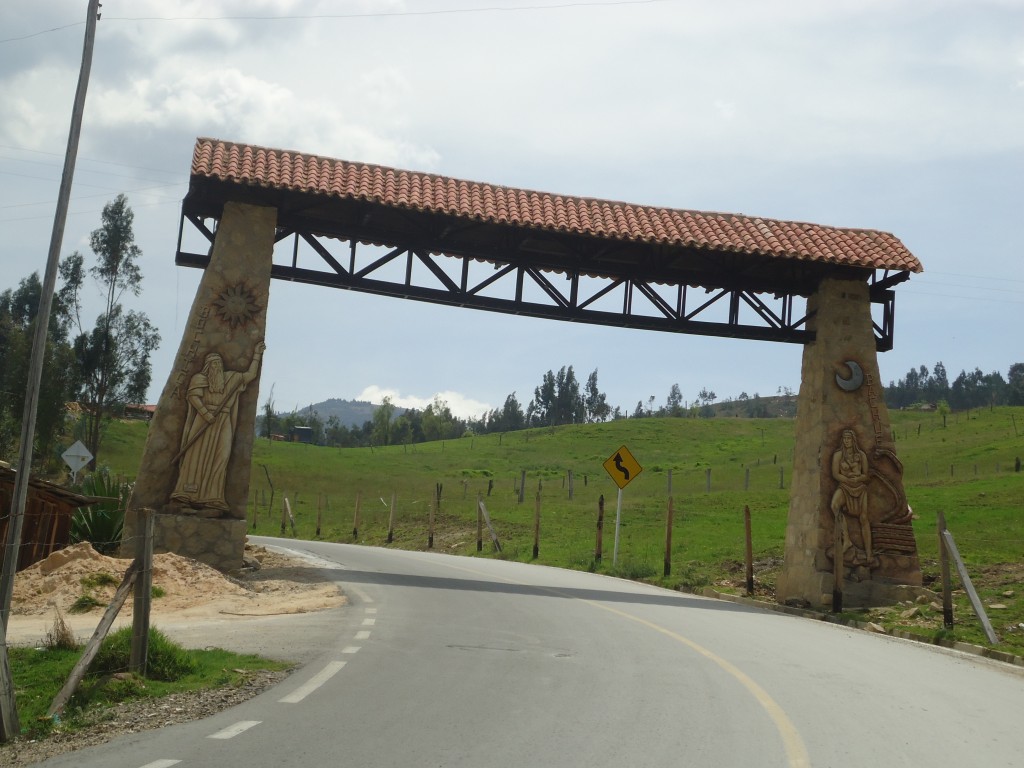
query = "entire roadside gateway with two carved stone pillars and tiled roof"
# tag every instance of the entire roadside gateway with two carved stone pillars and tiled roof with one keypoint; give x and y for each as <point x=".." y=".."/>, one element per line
<point x="435" y="239"/>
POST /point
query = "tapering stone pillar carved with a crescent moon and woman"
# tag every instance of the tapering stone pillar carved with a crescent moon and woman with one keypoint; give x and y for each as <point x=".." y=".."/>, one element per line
<point x="845" y="472"/>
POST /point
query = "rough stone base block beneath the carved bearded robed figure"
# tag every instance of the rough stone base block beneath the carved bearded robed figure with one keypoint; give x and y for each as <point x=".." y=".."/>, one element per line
<point x="220" y="543"/>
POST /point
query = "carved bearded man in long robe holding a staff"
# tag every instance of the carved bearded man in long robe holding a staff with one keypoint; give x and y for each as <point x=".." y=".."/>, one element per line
<point x="209" y="434"/>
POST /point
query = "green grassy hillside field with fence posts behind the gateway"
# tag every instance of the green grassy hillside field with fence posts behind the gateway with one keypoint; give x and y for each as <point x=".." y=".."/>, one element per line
<point x="966" y="470"/>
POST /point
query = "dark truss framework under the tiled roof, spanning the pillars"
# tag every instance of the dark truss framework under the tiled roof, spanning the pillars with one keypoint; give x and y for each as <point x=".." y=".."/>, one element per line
<point x="552" y="276"/>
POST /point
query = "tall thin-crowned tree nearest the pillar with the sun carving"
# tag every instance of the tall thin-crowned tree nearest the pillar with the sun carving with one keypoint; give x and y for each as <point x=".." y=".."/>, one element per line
<point x="113" y="359"/>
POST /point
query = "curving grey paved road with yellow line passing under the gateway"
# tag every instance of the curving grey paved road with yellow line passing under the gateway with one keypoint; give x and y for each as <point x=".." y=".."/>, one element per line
<point x="440" y="661"/>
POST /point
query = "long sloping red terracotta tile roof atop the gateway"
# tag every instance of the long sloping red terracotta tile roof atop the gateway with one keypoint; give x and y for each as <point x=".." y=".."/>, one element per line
<point x="282" y="169"/>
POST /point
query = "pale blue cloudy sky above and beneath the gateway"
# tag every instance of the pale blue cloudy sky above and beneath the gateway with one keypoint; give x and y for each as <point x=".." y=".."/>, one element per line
<point x="906" y="116"/>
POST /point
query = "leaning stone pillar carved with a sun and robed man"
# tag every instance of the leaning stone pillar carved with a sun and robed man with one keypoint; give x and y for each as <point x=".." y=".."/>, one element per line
<point x="195" y="471"/>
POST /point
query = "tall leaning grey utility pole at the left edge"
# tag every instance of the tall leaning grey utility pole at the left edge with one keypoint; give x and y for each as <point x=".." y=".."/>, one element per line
<point x="10" y="726"/>
